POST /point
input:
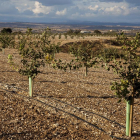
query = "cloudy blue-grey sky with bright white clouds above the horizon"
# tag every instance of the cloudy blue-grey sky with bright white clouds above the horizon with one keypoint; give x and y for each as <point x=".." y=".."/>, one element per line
<point x="51" y="11"/>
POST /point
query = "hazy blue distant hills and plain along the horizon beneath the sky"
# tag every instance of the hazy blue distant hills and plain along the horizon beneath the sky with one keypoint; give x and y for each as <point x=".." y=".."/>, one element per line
<point x="73" y="25"/>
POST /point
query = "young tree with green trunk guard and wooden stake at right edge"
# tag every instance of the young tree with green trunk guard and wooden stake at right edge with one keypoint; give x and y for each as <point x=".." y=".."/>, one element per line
<point x="128" y="69"/>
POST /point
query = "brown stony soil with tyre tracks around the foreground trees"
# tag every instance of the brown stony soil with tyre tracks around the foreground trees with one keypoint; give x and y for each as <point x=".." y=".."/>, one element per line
<point x="65" y="105"/>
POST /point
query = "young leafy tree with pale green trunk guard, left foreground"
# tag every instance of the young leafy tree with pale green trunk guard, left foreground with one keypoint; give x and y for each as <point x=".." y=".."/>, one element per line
<point x="31" y="60"/>
